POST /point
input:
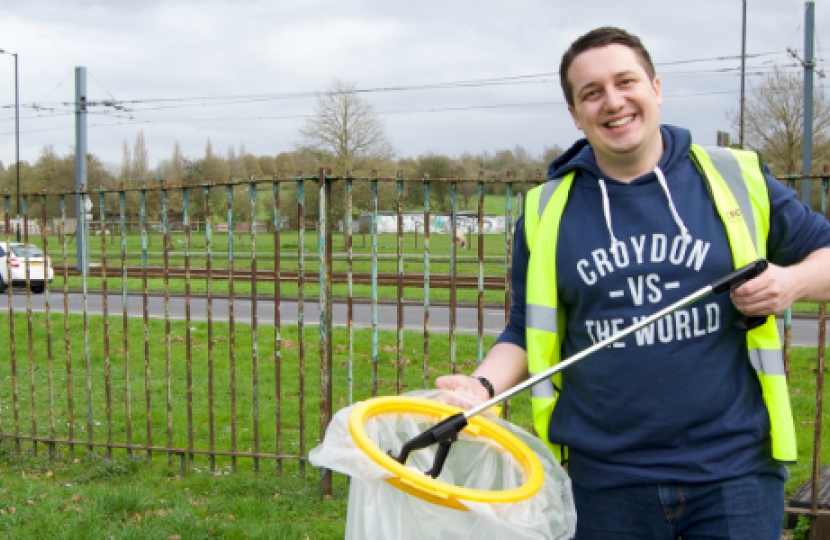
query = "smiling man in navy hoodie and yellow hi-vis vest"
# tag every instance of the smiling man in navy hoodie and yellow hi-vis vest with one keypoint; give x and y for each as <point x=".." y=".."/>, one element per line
<point x="682" y="429"/>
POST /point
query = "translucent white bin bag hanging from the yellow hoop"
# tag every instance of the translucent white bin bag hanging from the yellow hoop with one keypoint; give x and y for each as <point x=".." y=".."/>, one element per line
<point x="379" y="511"/>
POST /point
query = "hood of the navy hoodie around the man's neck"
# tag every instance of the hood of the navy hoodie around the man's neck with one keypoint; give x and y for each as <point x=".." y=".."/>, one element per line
<point x="677" y="143"/>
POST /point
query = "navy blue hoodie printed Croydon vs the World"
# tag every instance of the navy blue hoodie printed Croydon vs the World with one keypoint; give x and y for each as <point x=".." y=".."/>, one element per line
<point x="679" y="400"/>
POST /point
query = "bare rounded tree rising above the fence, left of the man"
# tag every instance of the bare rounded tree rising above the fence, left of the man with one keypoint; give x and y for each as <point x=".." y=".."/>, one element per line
<point x="347" y="127"/>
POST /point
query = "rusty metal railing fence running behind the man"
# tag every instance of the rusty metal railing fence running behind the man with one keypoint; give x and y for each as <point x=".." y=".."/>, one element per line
<point x="216" y="388"/>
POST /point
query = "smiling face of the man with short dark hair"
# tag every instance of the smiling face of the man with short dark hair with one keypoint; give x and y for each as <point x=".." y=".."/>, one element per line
<point x="617" y="107"/>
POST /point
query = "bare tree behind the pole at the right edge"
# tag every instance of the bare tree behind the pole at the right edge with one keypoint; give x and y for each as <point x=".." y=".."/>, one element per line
<point x="774" y="121"/>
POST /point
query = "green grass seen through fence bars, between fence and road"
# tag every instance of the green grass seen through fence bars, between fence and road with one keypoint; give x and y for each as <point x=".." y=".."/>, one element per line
<point x="70" y="398"/>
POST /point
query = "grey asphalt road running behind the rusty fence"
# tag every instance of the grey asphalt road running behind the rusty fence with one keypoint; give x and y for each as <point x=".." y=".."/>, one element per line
<point x="804" y="330"/>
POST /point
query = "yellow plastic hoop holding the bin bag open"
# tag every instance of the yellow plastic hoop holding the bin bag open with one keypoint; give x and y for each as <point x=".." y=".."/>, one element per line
<point x="424" y="487"/>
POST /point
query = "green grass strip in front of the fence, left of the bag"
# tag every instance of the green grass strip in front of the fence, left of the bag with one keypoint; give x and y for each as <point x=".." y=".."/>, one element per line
<point x="127" y="498"/>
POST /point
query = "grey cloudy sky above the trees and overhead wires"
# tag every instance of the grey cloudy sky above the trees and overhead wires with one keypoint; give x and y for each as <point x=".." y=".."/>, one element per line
<point x="244" y="72"/>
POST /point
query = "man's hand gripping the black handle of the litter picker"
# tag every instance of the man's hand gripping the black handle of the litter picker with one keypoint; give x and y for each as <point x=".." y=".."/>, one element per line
<point x="772" y="292"/>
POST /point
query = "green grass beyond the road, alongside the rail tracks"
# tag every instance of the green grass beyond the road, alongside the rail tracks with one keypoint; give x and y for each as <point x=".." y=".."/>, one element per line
<point x="494" y="254"/>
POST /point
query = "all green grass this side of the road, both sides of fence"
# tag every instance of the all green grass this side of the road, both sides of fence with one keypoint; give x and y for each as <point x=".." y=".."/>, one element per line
<point x="93" y="495"/>
